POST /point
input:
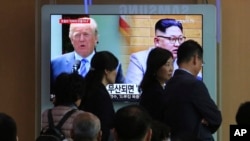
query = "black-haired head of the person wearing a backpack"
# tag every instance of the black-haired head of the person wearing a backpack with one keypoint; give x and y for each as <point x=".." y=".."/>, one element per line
<point x="69" y="87"/>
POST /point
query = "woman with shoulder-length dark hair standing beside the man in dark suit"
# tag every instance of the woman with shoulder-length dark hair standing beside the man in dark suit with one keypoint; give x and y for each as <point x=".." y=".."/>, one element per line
<point x="159" y="70"/>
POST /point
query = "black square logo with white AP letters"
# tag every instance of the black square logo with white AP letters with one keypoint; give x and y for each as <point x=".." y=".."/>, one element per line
<point x="239" y="132"/>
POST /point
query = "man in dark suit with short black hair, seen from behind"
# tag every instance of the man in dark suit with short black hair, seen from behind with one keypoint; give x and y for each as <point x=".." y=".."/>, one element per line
<point x="190" y="111"/>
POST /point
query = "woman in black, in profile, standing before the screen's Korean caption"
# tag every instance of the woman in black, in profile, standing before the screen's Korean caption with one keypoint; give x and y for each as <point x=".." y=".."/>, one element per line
<point x="97" y="99"/>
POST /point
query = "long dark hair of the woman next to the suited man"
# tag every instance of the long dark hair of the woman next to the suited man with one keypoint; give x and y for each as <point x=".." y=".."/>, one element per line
<point x="156" y="59"/>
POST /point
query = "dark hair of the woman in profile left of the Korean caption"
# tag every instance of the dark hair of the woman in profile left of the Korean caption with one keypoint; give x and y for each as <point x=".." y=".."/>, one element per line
<point x="101" y="61"/>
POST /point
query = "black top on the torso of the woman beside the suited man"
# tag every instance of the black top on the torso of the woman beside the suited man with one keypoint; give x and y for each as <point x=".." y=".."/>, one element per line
<point x="152" y="100"/>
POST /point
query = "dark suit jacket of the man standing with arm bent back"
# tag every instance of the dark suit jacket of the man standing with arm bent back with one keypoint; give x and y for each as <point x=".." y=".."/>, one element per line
<point x="187" y="103"/>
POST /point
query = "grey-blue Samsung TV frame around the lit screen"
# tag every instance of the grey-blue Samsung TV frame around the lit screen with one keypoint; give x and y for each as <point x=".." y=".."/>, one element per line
<point x="208" y="28"/>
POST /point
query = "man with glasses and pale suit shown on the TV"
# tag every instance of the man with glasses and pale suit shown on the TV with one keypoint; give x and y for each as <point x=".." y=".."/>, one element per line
<point x="168" y="35"/>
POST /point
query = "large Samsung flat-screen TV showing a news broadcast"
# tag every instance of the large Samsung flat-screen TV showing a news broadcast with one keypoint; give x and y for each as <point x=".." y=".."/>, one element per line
<point x="199" y="23"/>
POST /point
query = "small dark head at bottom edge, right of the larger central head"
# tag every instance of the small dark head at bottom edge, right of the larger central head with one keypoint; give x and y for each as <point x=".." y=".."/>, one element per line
<point x="161" y="132"/>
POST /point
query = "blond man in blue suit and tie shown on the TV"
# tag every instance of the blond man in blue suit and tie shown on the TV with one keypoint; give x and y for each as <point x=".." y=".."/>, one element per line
<point x="84" y="38"/>
